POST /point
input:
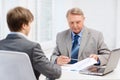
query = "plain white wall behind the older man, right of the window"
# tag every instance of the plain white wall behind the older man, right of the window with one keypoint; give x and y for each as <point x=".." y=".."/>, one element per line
<point x="101" y="15"/>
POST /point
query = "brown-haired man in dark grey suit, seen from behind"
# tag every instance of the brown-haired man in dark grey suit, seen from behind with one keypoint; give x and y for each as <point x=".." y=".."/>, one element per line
<point x="19" y="21"/>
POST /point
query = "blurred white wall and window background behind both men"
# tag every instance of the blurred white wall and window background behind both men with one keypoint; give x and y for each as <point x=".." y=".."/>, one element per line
<point x="50" y="18"/>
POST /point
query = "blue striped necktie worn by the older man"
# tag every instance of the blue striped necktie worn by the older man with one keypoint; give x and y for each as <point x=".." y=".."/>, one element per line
<point x="75" y="49"/>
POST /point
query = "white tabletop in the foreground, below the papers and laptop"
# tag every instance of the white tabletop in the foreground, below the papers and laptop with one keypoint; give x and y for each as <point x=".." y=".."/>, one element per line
<point x="74" y="75"/>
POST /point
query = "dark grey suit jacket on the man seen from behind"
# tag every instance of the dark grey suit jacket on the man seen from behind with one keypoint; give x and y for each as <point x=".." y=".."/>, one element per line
<point x="41" y="64"/>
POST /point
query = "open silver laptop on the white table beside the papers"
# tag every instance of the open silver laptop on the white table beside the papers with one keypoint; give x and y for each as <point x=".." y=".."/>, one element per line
<point x="102" y="70"/>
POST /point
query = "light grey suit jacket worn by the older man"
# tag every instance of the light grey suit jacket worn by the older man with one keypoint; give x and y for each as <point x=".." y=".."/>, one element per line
<point x="92" y="42"/>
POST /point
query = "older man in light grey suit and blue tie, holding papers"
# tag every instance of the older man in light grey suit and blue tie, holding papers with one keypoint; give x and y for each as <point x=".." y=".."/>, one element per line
<point x="79" y="42"/>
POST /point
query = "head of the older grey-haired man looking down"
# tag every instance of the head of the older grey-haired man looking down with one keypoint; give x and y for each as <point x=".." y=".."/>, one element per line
<point x="75" y="18"/>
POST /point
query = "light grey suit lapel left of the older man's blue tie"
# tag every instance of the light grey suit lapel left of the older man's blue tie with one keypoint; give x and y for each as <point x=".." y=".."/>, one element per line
<point x="69" y="42"/>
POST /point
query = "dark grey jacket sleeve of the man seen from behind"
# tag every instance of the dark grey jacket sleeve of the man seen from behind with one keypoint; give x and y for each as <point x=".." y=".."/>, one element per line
<point x="43" y="65"/>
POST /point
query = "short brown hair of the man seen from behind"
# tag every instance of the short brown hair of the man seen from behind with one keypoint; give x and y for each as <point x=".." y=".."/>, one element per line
<point x="18" y="16"/>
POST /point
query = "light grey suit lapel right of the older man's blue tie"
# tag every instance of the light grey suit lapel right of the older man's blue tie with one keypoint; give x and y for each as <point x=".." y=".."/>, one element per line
<point x="84" y="40"/>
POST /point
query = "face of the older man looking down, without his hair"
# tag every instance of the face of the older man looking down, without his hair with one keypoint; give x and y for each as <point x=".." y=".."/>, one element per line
<point x="76" y="22"/>
